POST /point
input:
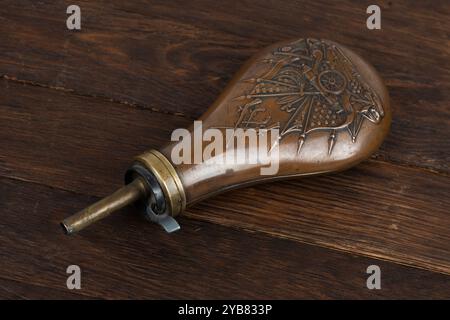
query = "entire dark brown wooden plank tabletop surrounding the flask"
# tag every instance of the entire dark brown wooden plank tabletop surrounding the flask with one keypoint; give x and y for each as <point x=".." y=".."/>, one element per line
<point x="76" y="106"/>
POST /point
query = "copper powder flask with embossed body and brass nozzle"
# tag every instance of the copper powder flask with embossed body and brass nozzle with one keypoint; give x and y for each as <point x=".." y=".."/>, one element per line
<point x="330" y="109"/>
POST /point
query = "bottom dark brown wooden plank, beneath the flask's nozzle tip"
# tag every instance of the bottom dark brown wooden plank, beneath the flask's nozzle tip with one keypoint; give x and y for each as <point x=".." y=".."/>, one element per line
<point x="129" y="258"/>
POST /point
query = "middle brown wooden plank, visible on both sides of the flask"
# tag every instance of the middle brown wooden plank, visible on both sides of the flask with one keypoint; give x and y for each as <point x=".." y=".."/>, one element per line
<point x="377" y="209"/>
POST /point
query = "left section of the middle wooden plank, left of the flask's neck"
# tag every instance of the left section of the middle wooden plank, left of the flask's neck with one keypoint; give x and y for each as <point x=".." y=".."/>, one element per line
<point x="61" y="137"/>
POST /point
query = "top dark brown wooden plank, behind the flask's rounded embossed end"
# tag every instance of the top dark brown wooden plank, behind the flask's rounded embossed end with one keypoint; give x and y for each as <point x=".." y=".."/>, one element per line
<point x="175" y="58"/>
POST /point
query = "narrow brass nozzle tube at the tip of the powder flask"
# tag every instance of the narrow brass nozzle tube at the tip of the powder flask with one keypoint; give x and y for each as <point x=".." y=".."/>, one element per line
<point x="101" y="209"/>
